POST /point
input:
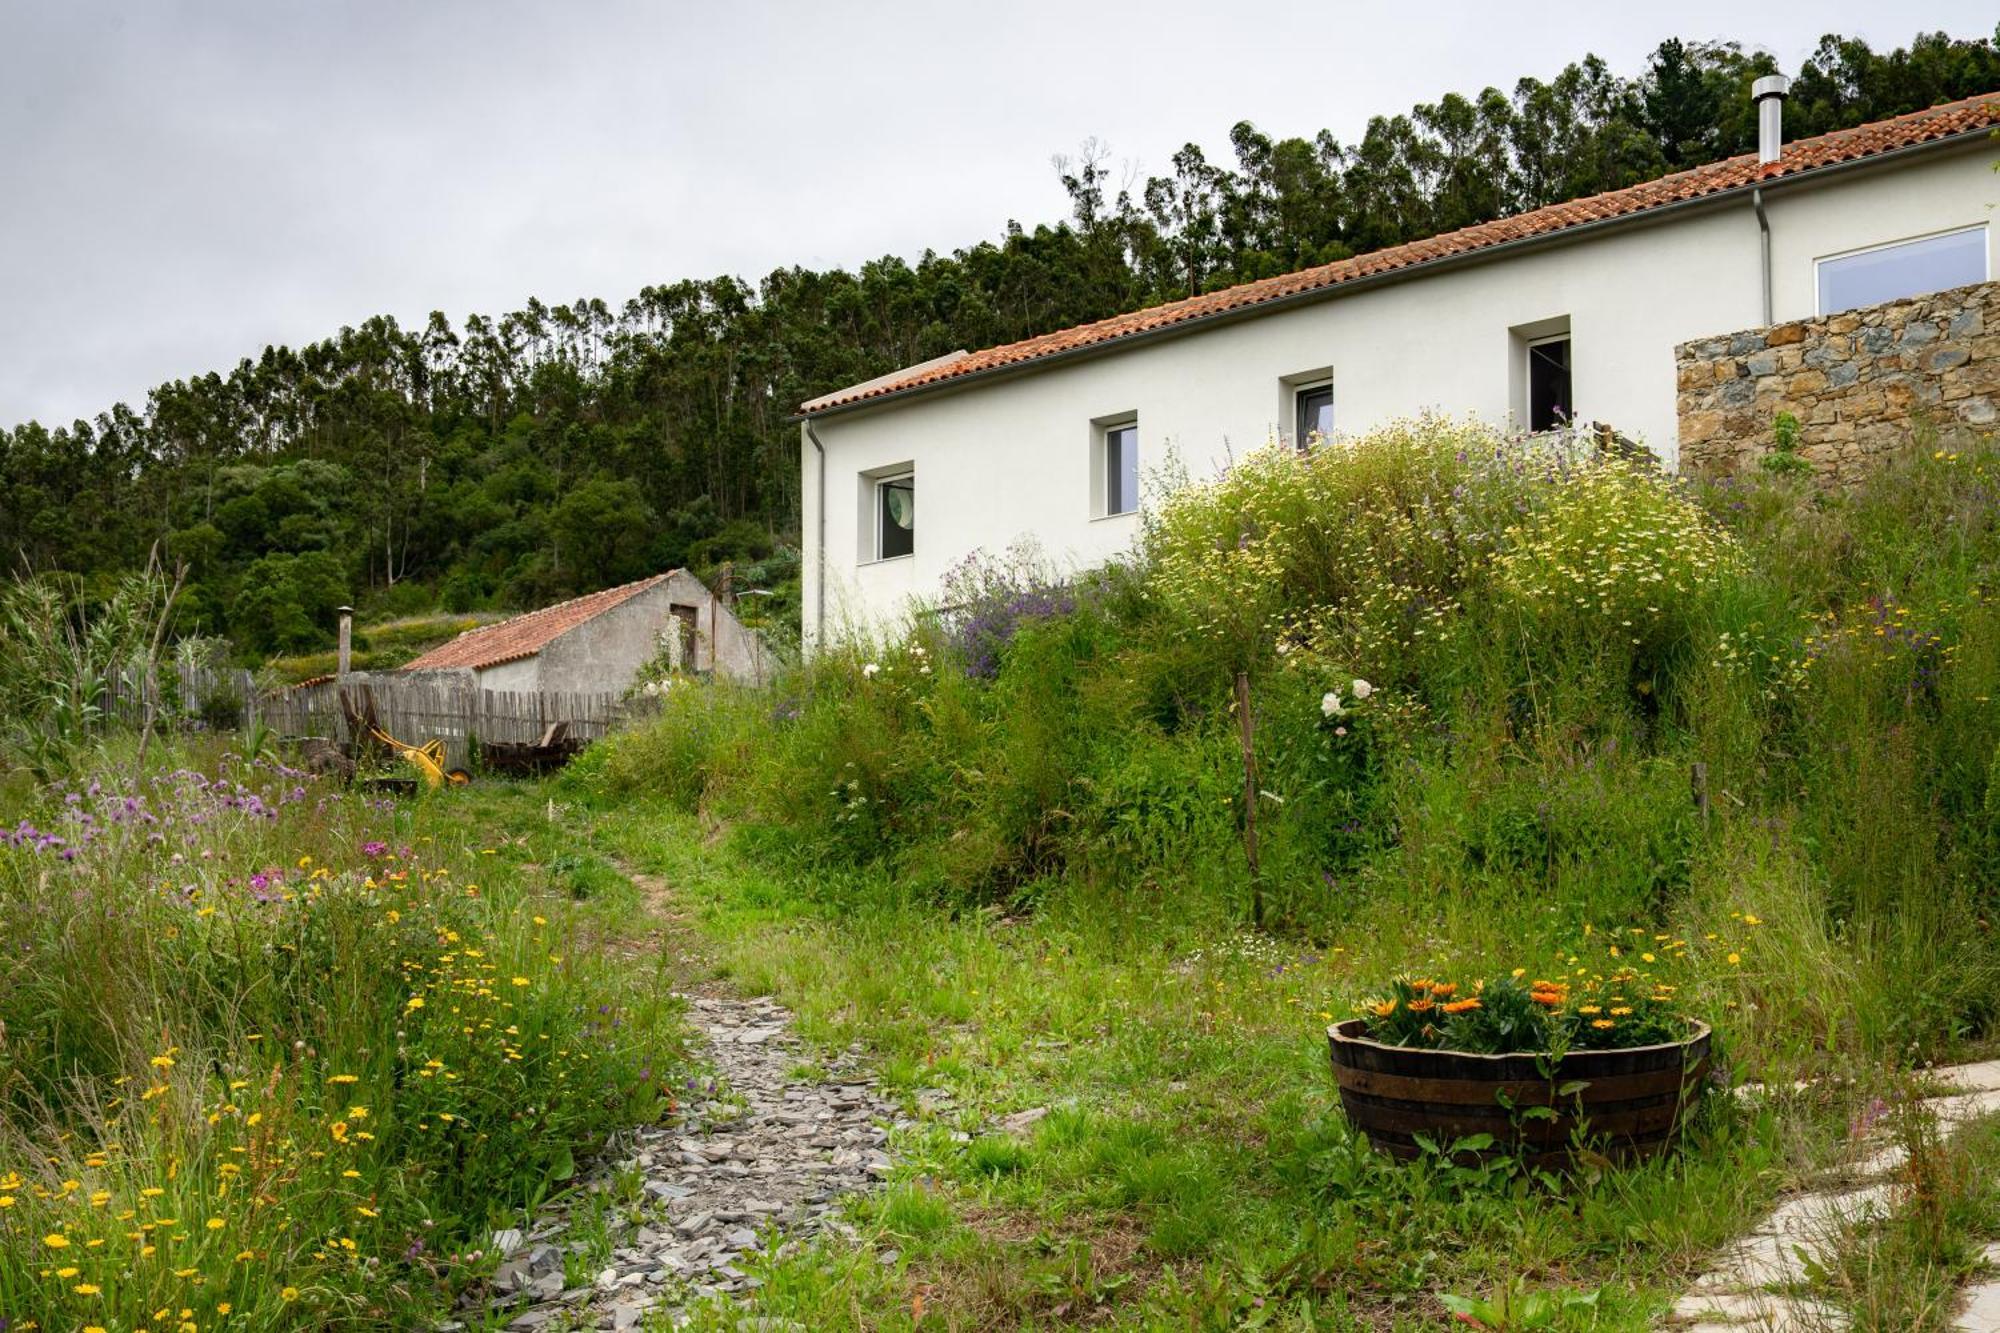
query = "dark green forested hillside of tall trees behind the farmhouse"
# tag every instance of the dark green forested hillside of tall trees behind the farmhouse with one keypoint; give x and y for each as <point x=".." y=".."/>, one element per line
<point x="517" y="459"/>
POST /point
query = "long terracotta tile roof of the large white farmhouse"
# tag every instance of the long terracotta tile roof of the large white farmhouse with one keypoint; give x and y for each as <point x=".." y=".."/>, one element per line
<point x="1803" y="157"/>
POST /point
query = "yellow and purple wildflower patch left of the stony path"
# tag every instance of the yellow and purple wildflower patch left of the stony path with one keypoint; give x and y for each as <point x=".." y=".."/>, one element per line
<point x="277" y="1058"/>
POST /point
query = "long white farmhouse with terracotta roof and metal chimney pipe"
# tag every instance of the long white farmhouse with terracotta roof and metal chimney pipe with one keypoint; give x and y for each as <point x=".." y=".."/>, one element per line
<point x="1567" y="313"/>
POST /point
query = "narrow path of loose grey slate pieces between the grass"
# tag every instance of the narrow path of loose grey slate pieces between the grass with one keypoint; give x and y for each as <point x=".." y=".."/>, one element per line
<point x="759" y="1158"/>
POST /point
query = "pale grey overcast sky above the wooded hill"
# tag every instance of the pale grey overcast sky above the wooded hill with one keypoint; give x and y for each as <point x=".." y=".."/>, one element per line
<point x="187" y="181"/>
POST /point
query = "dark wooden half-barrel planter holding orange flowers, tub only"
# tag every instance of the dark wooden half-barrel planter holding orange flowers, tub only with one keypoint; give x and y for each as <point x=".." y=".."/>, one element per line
<point x="1629" y="1104"/>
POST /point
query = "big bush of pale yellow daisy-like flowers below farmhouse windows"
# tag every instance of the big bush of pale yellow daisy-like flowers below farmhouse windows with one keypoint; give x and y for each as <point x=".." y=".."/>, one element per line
<point x="1371" y="551"/>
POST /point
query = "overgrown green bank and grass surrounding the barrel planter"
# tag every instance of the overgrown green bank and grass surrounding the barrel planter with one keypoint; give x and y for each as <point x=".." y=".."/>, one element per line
<point x="1607" y="714"/>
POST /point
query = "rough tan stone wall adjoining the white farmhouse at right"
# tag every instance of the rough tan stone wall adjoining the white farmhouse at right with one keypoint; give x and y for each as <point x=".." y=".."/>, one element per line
<point x="1857" y="383"/>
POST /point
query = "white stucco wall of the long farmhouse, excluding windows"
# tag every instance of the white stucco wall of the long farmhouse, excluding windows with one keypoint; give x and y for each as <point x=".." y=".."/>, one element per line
<point x="1013" y="457"/>
